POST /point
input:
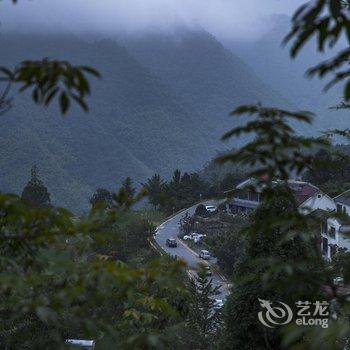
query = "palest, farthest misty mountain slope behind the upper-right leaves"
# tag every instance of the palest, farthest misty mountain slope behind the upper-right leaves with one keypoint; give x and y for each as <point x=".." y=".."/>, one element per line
<point x="272" y="63"/>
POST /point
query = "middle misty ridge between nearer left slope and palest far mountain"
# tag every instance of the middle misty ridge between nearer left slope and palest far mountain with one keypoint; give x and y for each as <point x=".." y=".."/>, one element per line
<point x="206" y="75"/>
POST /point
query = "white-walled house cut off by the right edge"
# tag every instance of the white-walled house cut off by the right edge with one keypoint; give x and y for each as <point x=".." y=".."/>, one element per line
<point x="335" y="231"/>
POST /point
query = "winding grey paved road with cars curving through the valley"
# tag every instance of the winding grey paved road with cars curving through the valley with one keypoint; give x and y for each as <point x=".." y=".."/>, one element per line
<point x="170" y="229"/>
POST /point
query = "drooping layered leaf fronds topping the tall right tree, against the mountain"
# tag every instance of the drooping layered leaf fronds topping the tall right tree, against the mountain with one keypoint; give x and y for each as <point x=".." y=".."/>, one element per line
<point x="276" y="150"/>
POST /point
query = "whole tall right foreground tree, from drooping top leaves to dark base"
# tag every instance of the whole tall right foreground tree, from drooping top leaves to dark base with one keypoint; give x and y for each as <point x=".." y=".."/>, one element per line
<point x="282" y="260"/>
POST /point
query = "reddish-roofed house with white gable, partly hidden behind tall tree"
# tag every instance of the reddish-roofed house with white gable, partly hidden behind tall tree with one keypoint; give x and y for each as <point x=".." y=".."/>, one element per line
<point x="309" y="197"/>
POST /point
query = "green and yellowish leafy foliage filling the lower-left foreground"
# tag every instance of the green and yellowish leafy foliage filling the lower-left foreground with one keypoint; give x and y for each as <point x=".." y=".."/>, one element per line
<point x="54" y="281"/>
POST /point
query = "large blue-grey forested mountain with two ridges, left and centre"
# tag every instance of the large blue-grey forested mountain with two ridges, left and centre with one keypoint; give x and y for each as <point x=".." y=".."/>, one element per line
<point x="146" y="116"/>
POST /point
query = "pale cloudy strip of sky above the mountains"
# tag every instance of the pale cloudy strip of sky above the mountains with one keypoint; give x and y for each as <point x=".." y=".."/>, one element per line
<point x="224" y="18"/>
